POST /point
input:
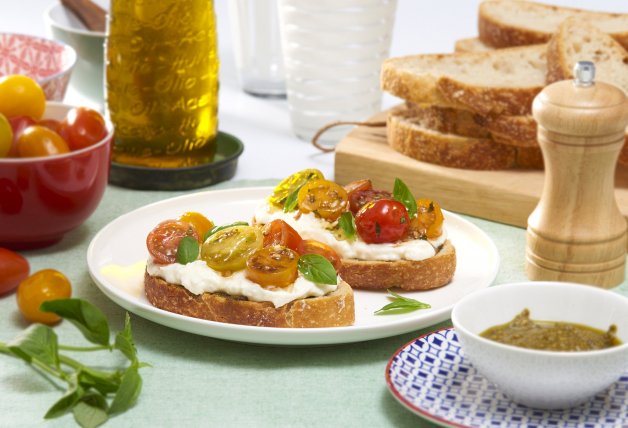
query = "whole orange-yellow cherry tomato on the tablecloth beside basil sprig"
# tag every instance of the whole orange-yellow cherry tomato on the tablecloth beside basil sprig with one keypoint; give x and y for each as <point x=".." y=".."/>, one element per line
<point x="47" y="284"/>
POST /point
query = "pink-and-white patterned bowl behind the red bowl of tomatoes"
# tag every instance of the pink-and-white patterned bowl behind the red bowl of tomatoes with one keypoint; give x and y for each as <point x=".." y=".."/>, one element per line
<point x="47" y="61"/>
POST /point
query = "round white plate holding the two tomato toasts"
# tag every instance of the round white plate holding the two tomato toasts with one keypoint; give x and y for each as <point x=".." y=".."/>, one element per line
<point x="117" y="254"/>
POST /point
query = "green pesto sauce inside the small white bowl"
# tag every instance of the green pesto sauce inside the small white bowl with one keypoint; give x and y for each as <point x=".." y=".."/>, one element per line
<point x="551" y="336"/>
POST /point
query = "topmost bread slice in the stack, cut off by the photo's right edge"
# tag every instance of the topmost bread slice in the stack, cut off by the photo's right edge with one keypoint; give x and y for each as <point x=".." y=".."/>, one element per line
<point x="505" y="23"/>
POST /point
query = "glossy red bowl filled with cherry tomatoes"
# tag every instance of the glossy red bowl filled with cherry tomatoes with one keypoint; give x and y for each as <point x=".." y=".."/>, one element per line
<point x="43" y="198"/>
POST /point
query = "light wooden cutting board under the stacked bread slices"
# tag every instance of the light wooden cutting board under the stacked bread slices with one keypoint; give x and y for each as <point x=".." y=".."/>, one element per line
<point x="506" y="196"/>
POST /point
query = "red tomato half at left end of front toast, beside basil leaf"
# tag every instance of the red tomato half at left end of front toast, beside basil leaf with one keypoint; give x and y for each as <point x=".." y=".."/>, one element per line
<point x="163" y="241"/>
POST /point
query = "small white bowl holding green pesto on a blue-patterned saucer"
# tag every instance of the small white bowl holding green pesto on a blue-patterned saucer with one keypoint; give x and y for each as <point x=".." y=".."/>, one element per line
<point x="544" y="379"/>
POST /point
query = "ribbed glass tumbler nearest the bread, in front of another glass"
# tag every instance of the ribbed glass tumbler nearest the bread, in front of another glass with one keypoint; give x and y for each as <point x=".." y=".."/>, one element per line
<point x="333" y="51"/>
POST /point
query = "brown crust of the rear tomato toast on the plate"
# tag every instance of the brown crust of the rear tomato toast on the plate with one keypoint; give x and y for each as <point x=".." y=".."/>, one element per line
<point x="404" y="274"/>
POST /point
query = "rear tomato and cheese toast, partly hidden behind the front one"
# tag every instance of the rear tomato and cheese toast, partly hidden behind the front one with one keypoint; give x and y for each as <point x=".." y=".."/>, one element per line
<point x="384" y="239"/>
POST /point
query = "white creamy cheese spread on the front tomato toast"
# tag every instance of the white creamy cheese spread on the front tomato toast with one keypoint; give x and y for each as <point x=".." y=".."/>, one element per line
<point x="198" y="278"/>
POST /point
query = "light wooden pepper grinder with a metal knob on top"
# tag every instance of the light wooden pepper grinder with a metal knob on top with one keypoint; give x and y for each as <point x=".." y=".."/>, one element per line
<point x="577" y="233"/>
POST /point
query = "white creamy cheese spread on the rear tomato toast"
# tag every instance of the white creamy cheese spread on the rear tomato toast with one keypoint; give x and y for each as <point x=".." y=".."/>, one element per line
<point x="311" y="227"/>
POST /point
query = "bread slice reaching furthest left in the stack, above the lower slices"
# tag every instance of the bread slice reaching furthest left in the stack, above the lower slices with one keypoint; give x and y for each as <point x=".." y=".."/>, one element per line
<point x="503" y="81"/>
